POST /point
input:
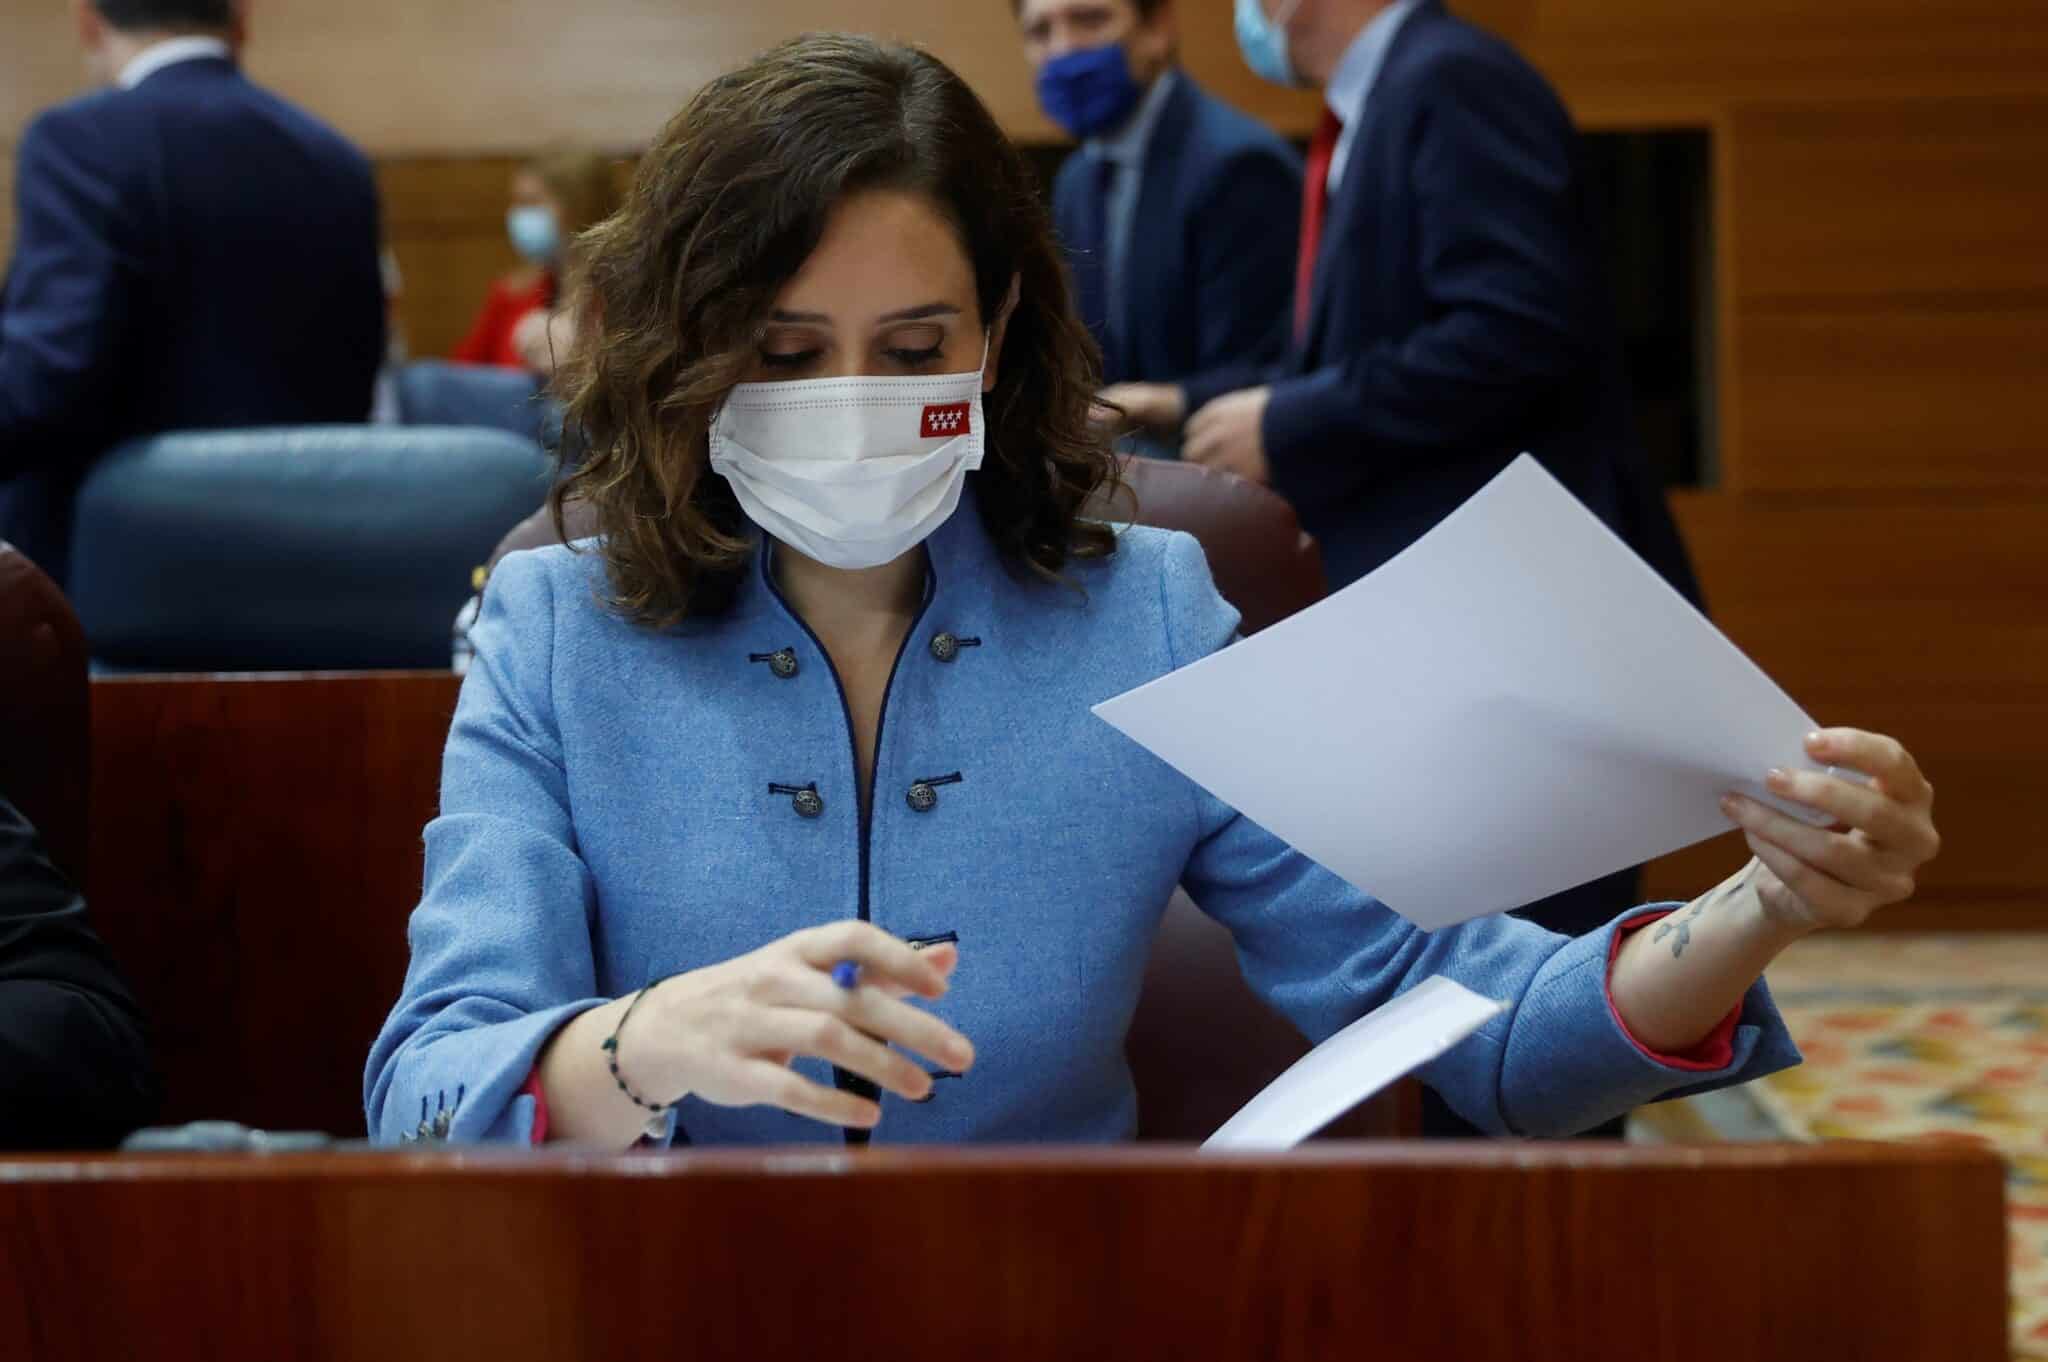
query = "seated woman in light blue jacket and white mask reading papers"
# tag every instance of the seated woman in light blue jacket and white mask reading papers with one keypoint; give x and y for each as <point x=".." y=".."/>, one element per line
<point x="779" y="814"/>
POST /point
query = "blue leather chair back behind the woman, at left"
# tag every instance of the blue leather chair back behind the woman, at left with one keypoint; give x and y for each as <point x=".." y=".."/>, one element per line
<point x="321" y="548"/>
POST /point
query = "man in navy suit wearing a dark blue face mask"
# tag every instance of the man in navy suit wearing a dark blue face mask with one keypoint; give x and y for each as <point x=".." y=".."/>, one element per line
<point x="1179" y="214"/>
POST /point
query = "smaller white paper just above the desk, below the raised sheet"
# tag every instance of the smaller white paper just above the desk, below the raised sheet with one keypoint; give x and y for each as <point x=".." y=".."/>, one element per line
<point x="1357" y="1064"/>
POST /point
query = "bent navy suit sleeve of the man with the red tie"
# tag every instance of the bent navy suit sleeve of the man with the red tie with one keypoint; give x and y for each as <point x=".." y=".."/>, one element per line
<point x="1506" y="271"/>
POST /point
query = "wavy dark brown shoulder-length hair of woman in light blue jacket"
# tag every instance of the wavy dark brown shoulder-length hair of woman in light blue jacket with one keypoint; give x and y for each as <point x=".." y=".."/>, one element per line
<point x="724" y="212"/>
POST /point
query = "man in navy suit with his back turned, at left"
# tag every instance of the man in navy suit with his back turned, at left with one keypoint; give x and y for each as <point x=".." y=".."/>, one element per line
<point x="191" y="253"/>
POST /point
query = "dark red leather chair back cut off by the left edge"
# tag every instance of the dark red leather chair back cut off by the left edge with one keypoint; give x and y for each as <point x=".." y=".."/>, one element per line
<point x="44" y="712"/>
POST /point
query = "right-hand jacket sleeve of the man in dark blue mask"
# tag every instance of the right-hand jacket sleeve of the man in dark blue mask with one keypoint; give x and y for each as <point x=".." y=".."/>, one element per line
<point x="1244" y="257"/>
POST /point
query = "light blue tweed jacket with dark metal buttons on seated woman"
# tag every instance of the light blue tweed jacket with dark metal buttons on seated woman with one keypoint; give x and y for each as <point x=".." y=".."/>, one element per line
<point x="622" y="806"/>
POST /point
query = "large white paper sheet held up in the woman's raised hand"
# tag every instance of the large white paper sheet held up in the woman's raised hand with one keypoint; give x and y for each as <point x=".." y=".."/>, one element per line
<point x="1510" y="708"/>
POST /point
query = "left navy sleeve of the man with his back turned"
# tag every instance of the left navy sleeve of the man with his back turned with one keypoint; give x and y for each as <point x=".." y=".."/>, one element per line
<point x="69" y="288"/>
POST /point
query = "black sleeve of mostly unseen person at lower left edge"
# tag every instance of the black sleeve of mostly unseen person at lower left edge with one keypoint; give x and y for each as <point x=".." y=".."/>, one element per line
<point x="75" y="1056"/>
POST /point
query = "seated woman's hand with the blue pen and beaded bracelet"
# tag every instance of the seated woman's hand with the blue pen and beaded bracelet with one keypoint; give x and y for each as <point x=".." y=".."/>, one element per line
<point x="728" y="1033"/>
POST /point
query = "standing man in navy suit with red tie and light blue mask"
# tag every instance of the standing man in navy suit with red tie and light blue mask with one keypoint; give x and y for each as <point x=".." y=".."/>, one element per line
<point x="1451" y="308"/>
